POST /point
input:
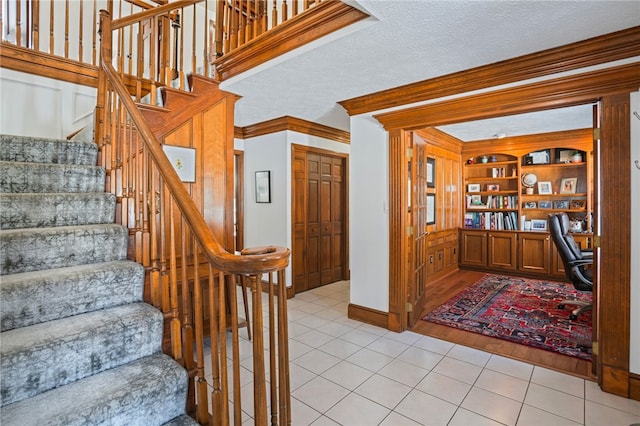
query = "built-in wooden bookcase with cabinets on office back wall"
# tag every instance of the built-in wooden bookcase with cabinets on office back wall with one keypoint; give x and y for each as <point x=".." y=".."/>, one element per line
<point x="511" y="186"/>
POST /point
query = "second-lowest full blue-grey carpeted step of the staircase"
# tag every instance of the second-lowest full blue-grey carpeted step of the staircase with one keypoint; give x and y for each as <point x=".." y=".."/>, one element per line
<point x="55" y="353"/>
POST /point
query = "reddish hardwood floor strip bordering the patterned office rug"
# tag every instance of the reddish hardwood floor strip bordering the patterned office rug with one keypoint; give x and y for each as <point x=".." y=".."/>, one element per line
<point x="447" y="287"/>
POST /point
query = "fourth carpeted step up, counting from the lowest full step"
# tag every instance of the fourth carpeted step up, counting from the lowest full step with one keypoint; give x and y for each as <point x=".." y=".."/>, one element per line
<point x="35" y="249"/>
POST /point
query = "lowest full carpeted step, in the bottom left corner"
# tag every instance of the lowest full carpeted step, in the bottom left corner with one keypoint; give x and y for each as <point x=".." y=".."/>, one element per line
<point x="146" y="392"/>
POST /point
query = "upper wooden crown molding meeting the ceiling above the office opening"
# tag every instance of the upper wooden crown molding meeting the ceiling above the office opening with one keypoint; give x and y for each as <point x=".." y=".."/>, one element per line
<point x="598" y="50"/>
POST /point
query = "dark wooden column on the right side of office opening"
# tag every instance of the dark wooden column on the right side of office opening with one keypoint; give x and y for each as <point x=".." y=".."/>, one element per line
<point x="614" y="283"/>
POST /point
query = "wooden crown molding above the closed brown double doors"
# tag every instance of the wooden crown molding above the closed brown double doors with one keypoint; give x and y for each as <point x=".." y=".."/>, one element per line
<point x="295" y="125"/>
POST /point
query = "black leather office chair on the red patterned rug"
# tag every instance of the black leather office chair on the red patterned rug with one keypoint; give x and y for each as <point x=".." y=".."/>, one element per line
<point x="575" y="261"/>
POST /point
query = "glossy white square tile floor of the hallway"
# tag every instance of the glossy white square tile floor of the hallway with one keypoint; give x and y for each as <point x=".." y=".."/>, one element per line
<point x="344" y="372"/>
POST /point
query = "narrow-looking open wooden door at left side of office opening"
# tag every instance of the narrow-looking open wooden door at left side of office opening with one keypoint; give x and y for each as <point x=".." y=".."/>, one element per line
<point x="417" y="238"/>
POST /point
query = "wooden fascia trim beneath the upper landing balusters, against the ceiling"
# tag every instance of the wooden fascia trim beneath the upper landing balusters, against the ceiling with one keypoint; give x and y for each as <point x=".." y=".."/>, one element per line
<point x="314" y="23"/>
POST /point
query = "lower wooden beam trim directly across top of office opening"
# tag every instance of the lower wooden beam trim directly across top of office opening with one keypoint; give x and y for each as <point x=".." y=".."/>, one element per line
<point x="565" y="91"/>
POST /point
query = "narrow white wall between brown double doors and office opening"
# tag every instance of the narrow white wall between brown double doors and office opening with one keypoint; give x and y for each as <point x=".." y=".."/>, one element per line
<point x="369" y="214"/>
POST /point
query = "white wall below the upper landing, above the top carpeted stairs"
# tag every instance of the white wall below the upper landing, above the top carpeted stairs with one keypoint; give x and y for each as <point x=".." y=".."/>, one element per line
<point x="39" y="106"/>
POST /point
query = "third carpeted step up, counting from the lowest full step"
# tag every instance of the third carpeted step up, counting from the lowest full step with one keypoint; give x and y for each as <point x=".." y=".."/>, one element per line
<point x="33" y="297"/>
